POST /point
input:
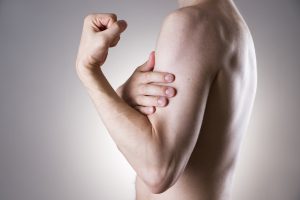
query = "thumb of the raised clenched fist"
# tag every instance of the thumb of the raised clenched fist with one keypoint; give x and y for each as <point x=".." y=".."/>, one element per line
<point x="115" y="30"/>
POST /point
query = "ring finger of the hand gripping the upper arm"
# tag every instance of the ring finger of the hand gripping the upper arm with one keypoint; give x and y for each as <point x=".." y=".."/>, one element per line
<point x="151" y="101"/>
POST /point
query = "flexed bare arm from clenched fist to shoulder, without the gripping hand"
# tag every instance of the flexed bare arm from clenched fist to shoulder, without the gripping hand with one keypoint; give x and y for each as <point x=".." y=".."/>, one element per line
<point x="157" y="146"/>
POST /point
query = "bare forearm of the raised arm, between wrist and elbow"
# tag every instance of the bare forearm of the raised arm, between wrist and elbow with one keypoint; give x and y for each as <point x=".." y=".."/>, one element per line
<point x="131" y="131"/>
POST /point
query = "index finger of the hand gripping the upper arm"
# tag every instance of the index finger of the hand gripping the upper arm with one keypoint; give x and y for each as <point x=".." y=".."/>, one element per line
<point x="156" y="77"/>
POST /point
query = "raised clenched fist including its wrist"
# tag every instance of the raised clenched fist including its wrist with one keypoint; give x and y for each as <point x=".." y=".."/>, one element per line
<point x="100" y="32"/>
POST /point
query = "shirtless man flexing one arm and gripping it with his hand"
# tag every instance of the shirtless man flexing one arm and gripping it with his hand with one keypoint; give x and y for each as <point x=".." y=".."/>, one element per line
<point x="188" y="149"/>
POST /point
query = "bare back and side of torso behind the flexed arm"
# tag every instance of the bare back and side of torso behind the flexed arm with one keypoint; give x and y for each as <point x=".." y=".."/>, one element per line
<point x="208" y="174"/>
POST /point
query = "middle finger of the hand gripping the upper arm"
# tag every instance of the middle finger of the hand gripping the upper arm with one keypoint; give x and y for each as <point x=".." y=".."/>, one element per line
<point x="156" y="90"/>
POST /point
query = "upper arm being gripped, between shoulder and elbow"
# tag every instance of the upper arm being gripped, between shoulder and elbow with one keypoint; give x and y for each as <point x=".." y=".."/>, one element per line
<point x="178" y="125"/>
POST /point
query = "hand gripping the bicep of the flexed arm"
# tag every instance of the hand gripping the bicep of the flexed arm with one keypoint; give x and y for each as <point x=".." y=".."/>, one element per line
<point x="143" y="91"/>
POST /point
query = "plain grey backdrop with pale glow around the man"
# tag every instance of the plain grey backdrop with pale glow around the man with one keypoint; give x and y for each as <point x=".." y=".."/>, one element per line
<point x="52" y="143"/>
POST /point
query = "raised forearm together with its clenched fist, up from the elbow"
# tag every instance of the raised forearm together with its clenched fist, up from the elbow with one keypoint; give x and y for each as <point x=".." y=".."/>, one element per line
<point x="131" y="131"/>
